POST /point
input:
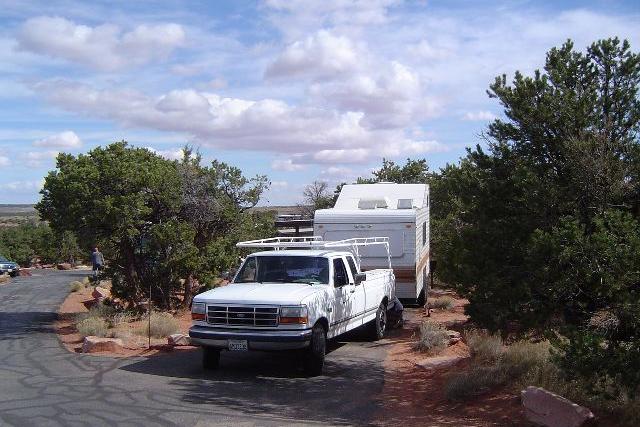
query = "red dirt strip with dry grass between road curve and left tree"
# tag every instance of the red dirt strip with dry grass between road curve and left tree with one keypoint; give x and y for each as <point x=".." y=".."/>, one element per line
<point x="134" y="344"/>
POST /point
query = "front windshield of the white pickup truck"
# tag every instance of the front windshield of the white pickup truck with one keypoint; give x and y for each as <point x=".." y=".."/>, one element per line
<point x="284" y="269"/>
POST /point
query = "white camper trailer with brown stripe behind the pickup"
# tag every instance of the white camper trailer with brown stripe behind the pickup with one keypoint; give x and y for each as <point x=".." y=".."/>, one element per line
<point x="397" y="211"/>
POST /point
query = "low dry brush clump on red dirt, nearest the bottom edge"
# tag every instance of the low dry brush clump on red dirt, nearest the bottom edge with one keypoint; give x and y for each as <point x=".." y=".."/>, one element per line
<point x="477" y="380"/>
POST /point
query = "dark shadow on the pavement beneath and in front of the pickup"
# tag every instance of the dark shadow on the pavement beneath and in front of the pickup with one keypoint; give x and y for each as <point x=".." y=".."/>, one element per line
<point x="273" y="384"/>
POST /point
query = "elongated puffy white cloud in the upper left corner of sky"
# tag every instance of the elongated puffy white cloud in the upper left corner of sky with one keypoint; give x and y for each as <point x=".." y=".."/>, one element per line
<point x="104" y="47"/>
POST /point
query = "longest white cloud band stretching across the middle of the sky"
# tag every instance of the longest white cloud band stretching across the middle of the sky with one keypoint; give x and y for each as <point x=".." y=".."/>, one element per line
<point x="318" y="135"/>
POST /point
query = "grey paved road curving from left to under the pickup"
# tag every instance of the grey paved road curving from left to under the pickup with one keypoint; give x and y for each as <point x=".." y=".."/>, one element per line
<point x="43" y="384"/>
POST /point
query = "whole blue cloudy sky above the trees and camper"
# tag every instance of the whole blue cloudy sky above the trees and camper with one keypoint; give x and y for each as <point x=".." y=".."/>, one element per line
<point x="296" y="90"/>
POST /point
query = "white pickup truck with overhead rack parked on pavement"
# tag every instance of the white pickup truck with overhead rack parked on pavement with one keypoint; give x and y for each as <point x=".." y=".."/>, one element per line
<point x="290" y="298"/>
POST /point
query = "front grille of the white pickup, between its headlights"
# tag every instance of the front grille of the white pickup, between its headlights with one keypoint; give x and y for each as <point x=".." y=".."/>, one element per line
<point x="242" y="315"/>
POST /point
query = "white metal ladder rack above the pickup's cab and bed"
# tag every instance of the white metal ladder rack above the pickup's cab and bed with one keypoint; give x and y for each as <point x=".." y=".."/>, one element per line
<point x="316" y="242"/>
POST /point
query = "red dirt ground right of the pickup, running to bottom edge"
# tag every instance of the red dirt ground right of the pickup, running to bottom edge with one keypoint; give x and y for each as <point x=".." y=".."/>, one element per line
<point x="414" y="395"/>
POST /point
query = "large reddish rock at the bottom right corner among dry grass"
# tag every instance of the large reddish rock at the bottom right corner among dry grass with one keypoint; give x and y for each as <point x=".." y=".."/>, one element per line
<point x="548" y="409"/>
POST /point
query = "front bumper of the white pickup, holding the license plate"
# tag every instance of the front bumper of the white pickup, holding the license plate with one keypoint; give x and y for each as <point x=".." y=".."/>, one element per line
<point x="256" y="340"/>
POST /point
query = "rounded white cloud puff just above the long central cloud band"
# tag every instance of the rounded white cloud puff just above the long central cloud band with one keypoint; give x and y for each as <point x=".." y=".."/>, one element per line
<point x="319" y="55"/>
